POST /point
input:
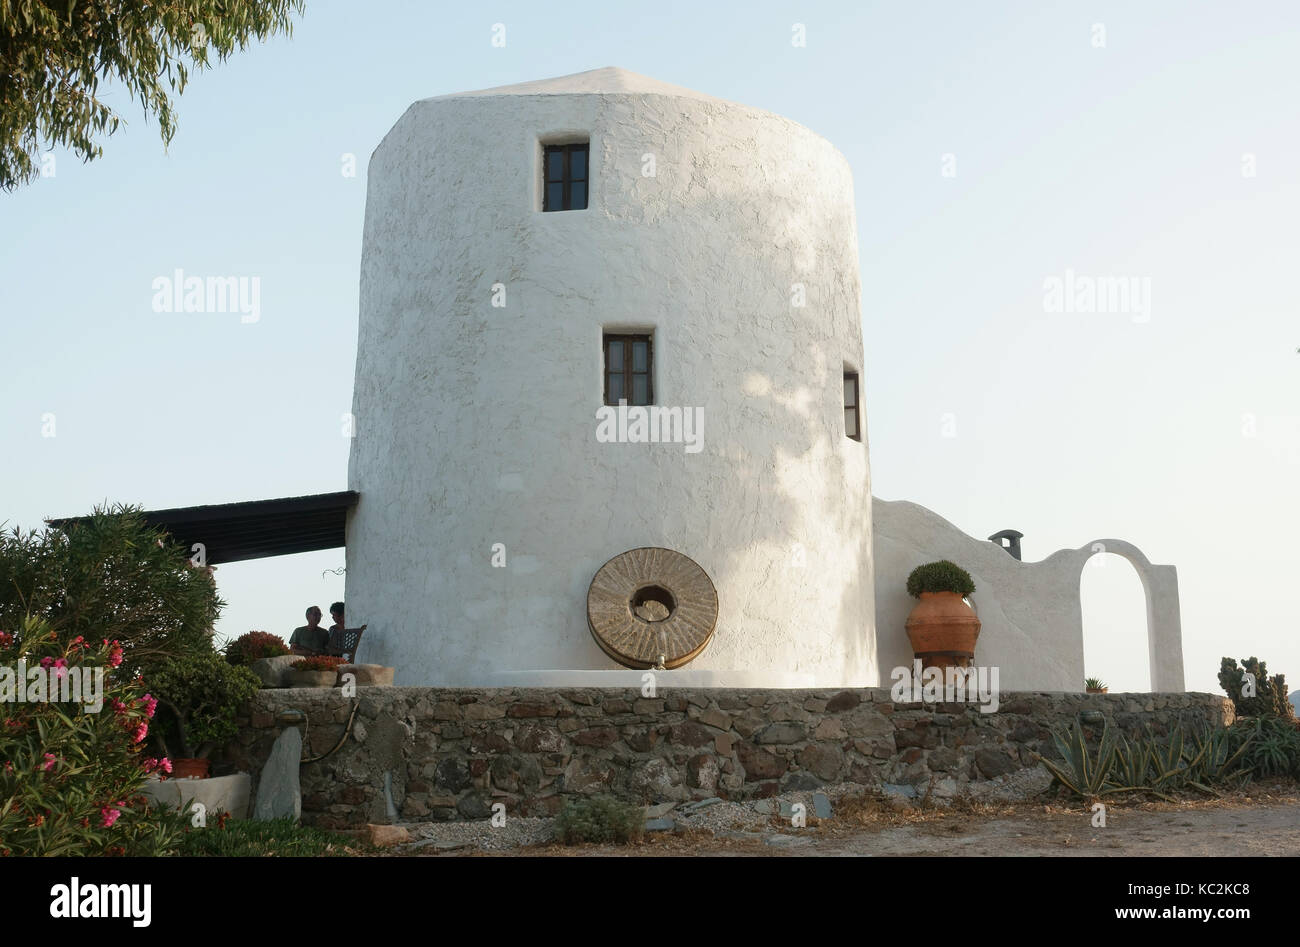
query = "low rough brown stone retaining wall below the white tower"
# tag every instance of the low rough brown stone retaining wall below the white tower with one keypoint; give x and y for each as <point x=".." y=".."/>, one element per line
<point x="441" y="754"/>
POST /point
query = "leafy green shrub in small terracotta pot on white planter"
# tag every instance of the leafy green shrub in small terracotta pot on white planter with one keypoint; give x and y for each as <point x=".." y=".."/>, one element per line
<point x="198" y="698"/>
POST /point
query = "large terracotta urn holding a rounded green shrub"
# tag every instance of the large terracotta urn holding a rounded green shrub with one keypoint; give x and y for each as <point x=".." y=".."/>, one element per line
<point x="943" y="628"/>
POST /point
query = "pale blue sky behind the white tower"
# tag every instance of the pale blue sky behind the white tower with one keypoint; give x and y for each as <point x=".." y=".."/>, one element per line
<point x="1124" y="161"/>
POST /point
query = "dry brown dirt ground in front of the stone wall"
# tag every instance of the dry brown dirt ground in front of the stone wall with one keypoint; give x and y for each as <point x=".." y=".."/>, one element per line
<point x="1260" y="823"/>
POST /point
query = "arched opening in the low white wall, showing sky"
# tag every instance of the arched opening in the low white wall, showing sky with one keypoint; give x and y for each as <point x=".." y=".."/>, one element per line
<point x="1116" y="634"/>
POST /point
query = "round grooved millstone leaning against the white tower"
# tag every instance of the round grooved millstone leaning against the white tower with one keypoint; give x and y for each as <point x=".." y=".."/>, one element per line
<point x="649" y="604"/>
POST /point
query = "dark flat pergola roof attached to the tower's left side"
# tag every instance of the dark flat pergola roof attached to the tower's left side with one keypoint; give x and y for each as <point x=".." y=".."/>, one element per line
<point x="255" y="529"/>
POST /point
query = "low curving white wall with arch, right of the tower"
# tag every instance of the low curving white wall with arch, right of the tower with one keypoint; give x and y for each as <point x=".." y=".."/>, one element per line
<point x="1030" y="612"/>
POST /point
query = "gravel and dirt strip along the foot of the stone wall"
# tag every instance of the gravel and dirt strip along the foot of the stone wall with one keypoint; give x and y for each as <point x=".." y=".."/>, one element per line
<point x="1264" y="824"/>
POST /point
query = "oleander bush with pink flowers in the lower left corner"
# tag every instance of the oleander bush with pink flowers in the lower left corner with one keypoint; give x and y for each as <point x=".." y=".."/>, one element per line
<point x="72" y="738"/>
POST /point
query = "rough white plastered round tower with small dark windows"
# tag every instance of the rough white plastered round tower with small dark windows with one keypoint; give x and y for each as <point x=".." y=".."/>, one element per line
<point x="476" y="426"/>
